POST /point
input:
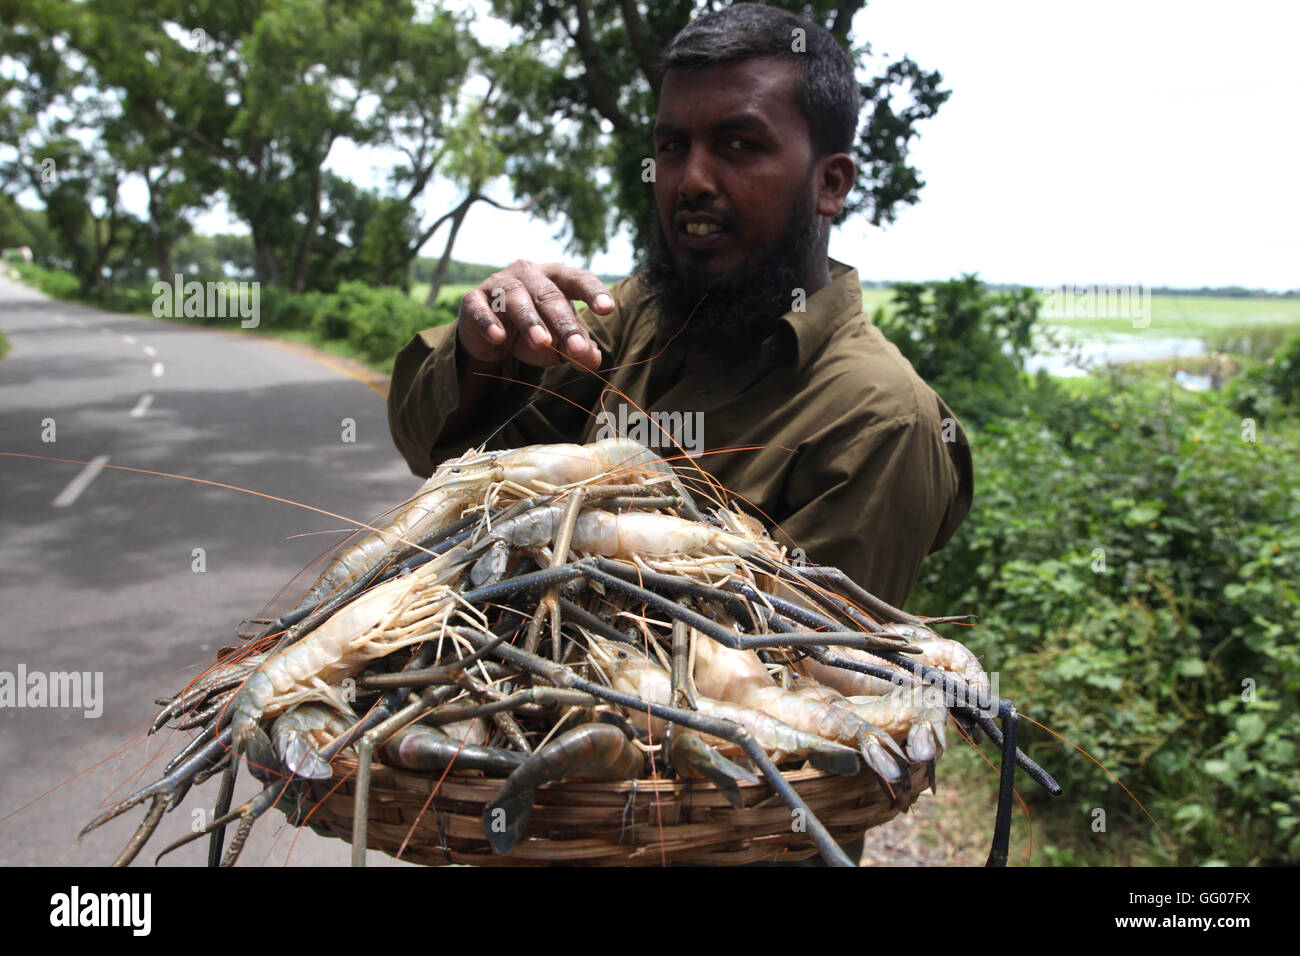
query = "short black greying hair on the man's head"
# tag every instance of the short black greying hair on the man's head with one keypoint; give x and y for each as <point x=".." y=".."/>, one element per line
<point x="830" y="98"/>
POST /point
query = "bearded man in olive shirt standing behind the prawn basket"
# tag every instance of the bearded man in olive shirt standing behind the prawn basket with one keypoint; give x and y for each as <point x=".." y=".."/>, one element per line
<point x="742" y="327"/>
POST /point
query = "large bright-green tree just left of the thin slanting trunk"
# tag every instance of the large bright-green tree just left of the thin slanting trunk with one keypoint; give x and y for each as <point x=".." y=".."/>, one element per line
<point x="261" y="94"/>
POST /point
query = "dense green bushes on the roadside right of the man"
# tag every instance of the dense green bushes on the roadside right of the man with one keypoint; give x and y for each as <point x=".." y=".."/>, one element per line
<point x="1136" y="568"/>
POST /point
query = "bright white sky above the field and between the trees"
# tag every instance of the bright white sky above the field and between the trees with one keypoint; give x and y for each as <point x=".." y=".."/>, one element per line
<point x="1085" y="142"/>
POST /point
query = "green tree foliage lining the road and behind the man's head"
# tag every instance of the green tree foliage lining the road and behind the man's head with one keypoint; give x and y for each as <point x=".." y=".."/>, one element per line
<point x="246" y="103"/>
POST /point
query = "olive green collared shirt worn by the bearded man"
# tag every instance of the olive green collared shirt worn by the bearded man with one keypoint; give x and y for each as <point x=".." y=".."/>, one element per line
<point x="824" y="430"/>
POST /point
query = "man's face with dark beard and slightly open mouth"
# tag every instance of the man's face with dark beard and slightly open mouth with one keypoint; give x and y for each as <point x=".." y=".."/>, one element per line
<point x="735" y="196"/>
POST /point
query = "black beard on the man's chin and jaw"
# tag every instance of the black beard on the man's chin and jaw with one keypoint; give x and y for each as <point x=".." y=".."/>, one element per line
<point x="738" y="309"/>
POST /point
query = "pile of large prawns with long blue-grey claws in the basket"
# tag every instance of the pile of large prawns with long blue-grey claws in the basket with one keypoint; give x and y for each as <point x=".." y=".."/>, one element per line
<point x="567" y="612"/>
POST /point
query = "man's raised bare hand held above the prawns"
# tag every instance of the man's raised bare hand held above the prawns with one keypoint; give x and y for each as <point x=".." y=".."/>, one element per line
<point x="525" y="312"/>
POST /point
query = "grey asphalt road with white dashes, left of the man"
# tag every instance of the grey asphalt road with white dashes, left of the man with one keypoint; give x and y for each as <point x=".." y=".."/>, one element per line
<point x="99" y="570"/>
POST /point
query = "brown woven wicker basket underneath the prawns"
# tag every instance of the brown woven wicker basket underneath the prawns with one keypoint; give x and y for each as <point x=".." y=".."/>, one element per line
<point x="627" y="824"/>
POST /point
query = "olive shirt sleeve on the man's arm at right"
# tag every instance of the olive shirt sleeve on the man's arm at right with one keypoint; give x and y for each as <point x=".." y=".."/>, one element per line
<point x="898" y="490"/>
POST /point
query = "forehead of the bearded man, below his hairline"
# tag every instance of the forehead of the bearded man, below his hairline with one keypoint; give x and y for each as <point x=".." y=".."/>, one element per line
<point x="747" y="93"/>
